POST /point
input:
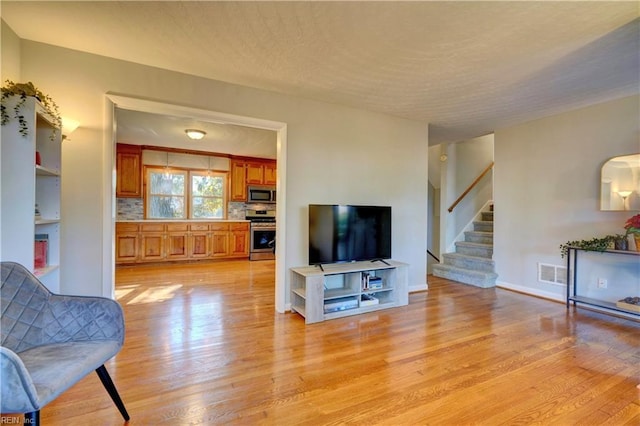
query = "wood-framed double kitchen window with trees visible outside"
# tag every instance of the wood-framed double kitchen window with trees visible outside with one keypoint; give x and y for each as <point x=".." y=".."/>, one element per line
<point x="185" y="194"/>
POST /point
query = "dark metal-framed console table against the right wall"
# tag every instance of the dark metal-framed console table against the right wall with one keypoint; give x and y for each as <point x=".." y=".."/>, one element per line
<point x="608" y="298"/>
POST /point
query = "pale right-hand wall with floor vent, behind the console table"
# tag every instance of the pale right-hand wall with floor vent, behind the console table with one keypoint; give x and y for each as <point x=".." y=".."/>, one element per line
<point x="547" y="185"/>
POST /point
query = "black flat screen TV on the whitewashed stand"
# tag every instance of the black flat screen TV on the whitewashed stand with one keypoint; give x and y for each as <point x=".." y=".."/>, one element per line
<point x="341" y="233"/>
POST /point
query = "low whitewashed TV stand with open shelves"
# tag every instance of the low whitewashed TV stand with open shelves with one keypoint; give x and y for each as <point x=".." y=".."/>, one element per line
<point x="343" y="289"/>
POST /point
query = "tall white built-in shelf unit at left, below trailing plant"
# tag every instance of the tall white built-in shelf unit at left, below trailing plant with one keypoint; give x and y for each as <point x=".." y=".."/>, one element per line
<point x="27" y="186"/>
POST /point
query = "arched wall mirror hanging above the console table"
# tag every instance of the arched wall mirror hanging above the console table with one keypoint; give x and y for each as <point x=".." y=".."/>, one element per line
<point x="620" y="183"/>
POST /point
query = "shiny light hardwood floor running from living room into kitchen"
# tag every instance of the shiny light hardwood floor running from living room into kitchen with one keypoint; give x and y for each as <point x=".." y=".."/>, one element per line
<point x="205" y="346"/>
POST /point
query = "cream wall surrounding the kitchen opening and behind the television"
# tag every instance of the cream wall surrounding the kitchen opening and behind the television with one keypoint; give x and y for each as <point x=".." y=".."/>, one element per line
<point x="335" y="154"/>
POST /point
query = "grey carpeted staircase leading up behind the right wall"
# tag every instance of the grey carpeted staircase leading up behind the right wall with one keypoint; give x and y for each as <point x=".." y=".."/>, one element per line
<point x="472" y="261"/>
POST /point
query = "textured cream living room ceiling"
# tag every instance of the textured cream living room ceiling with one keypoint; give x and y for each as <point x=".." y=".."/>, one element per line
<point x="467" y="68"/>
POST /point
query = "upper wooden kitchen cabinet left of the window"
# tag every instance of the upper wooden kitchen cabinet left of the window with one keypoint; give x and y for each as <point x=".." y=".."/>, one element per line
<point x="128" y="171"/>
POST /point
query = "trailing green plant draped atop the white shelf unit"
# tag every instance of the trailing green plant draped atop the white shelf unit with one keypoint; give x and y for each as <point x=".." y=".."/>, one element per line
<point x="25" y="90"/>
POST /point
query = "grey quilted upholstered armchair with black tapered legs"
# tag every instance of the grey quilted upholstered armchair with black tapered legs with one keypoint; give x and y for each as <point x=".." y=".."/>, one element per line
<point x="50" y="342"/>
